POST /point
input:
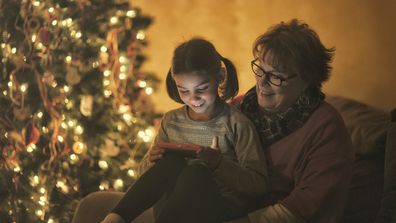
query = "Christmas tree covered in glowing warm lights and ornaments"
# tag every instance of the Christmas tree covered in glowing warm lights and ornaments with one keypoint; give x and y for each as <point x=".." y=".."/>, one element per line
<point x="75" y="111"/>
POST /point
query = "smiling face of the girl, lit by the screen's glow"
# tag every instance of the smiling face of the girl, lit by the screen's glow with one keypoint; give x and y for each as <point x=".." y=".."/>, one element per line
<point x="199" y="93"/>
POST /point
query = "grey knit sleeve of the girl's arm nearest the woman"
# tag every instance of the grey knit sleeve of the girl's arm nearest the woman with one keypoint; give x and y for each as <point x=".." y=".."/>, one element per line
<point x="248" y="176"/>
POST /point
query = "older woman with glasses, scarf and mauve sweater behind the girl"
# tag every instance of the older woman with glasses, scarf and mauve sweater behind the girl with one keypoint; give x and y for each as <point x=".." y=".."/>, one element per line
<point x="309" y="151"/>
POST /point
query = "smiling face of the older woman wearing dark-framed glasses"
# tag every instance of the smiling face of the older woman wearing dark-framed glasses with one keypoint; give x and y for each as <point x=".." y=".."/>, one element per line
<point x="273" y="98"/>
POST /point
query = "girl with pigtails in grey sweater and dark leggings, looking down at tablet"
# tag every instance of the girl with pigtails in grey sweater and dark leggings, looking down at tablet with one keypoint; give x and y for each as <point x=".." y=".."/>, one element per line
<point x="220" y="182"/>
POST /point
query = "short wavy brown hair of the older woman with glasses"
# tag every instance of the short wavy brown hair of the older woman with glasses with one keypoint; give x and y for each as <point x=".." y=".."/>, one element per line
<point x="295" y="48"/>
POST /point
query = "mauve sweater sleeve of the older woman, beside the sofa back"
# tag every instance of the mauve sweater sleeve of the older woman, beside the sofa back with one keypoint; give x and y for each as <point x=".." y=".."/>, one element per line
<point x="322" y="181"/>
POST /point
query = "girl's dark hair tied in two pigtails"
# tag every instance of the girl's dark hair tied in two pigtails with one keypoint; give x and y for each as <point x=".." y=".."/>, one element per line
<point x="200" y="56"/>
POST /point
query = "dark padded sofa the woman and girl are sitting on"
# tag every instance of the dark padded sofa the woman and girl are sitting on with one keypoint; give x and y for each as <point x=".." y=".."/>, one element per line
<point x="372" y="196"/>
